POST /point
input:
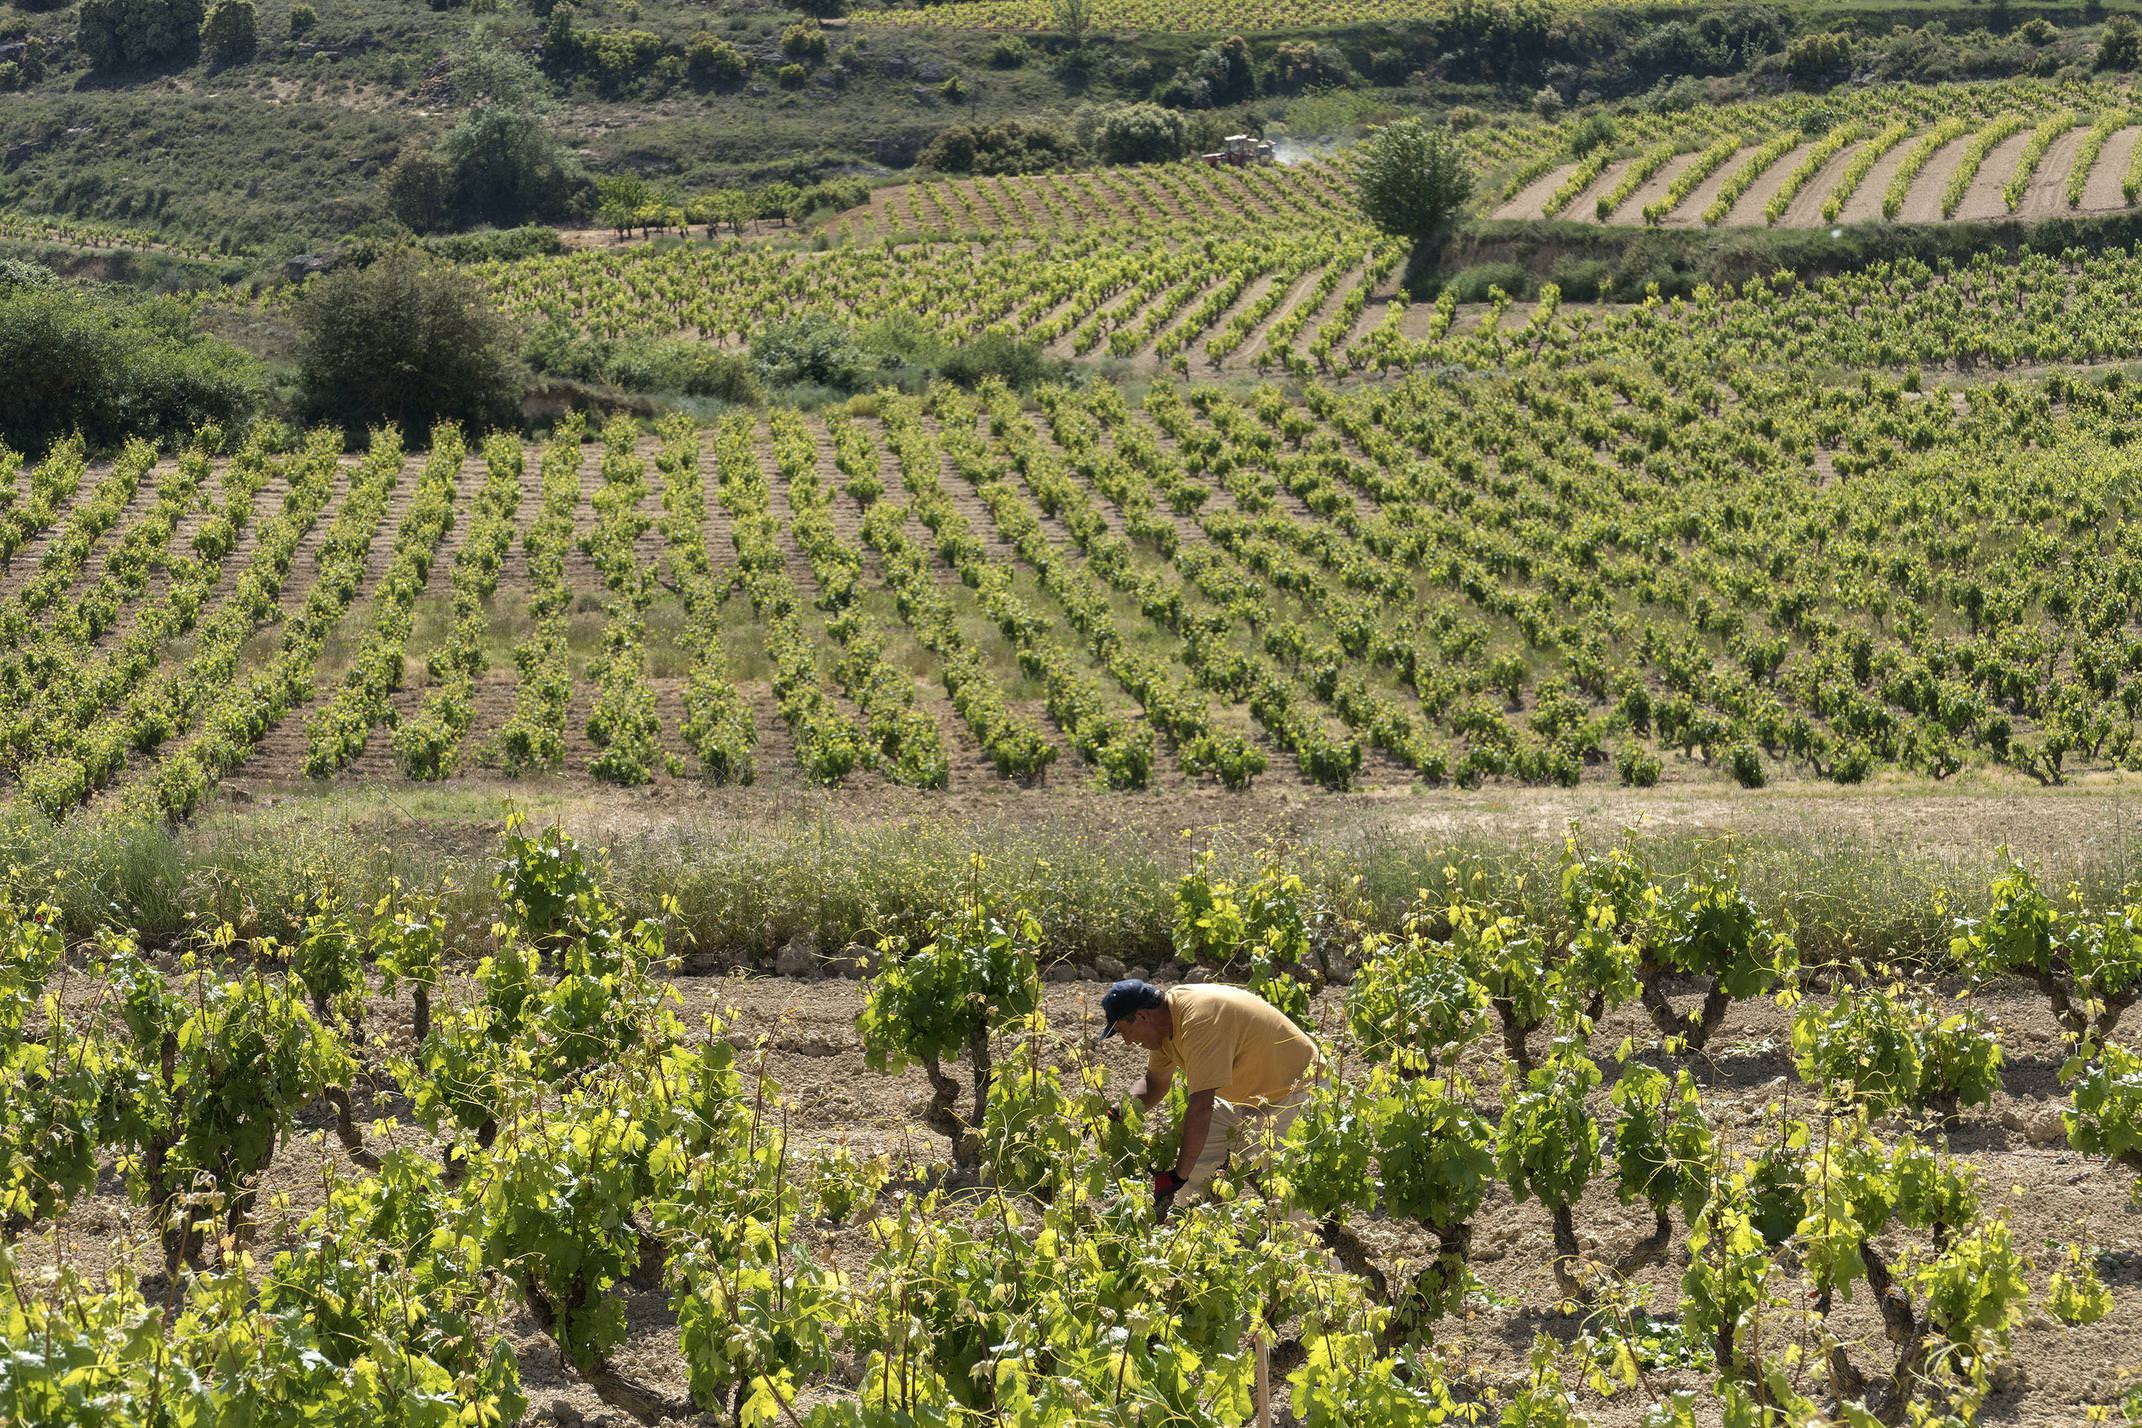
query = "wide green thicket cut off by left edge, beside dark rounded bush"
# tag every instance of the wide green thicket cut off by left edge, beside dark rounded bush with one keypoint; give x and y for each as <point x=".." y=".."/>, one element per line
<point x="110" y="369"/>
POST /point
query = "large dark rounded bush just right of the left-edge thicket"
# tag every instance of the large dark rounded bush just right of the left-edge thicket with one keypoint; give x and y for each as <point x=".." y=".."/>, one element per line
<point x="404" y="341"/>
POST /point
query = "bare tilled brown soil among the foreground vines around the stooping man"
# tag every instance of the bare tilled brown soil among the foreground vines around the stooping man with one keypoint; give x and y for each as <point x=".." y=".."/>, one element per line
<point x="802" y="1033"/>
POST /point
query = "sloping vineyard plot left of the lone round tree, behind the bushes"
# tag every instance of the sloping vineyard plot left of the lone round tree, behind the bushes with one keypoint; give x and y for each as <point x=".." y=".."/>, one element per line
<point x="1171" y="267"/>
